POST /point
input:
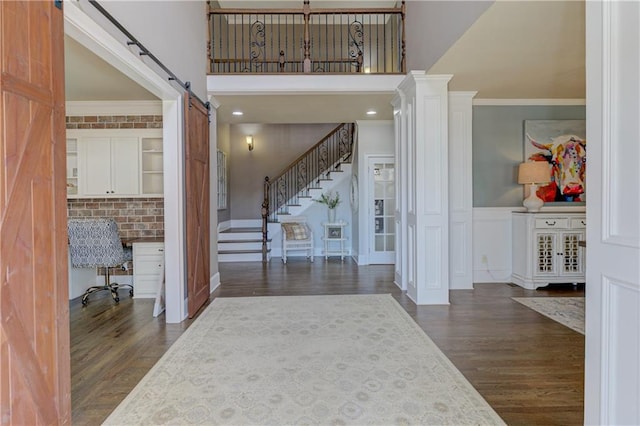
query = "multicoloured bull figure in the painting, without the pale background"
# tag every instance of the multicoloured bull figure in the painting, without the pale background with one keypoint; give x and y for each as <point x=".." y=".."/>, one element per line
<point x="567" y="155"/>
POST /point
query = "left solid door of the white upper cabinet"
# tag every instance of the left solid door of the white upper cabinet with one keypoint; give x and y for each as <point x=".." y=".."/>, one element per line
<point x="96" y="170"/>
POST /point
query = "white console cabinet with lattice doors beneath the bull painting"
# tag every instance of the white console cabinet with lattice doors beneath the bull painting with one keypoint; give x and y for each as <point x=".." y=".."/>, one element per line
<point x="546" y="248"/>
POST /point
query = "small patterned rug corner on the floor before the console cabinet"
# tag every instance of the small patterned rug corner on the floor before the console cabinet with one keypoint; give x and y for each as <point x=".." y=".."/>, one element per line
<point x="568" y="311"/>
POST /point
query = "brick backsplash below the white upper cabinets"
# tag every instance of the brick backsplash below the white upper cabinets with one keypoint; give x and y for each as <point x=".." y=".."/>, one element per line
<point x="136" y="217"/>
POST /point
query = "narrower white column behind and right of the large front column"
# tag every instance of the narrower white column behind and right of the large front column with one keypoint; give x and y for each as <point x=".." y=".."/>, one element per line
<point x="460" y="190"/>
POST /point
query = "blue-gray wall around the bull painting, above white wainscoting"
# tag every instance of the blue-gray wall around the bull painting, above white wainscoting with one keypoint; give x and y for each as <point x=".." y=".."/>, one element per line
<point x="498" y="148"/>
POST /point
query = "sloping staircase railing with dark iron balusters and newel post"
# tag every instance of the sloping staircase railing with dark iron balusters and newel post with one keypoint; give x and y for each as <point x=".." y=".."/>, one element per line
<point x="304" y="174"/>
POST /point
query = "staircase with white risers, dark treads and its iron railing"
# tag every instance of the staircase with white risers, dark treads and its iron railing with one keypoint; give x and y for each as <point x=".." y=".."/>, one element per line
<point x="290" y="193"/>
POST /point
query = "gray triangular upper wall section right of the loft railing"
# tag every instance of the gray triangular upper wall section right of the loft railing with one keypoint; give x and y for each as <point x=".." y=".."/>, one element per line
<point x="434" y="26"/>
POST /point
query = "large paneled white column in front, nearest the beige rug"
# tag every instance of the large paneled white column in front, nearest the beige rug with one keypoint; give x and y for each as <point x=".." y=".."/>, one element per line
<point x="427" y="191"/>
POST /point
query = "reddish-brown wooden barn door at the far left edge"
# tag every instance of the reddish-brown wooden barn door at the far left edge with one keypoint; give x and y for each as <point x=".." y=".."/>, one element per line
<point x="34" y="325"/>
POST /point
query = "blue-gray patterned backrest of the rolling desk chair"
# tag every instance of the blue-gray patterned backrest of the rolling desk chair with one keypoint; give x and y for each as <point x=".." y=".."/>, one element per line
<point x="94" y="242"/>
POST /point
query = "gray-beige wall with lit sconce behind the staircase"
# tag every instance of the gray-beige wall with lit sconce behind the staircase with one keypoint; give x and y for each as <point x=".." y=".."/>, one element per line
<point x="276" y="146"/>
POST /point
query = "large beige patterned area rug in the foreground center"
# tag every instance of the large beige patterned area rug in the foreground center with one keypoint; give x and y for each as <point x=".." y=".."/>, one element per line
<point x="299" y="360"/>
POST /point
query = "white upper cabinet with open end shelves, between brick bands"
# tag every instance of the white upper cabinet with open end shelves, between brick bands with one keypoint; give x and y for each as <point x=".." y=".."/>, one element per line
<point x="111" y="163"/>
